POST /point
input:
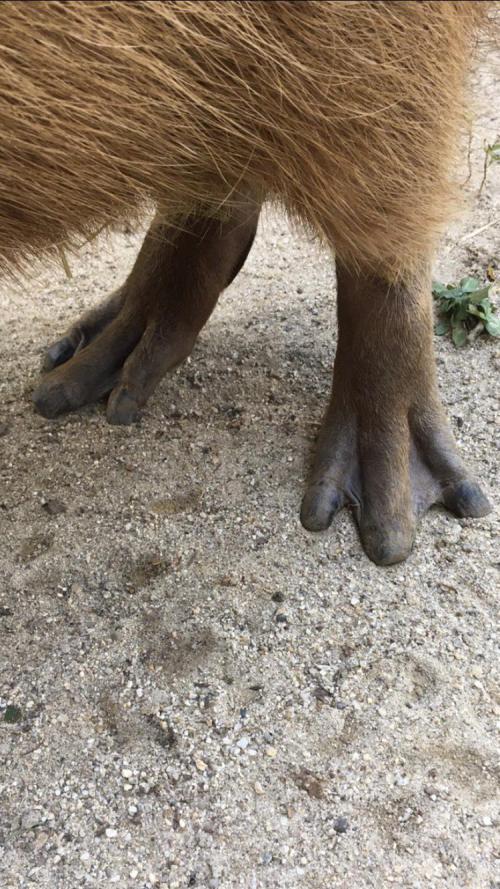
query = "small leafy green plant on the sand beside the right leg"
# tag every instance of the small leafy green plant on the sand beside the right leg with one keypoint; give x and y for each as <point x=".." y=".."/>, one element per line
<point x="465" y="309"/>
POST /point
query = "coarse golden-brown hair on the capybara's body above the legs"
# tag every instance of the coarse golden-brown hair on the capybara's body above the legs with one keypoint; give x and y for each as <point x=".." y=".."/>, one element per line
<point x="346" y="113"/>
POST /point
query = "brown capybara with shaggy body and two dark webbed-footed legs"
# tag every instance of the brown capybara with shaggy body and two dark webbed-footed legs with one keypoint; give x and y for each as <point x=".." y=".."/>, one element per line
<point x="344" y="113"/>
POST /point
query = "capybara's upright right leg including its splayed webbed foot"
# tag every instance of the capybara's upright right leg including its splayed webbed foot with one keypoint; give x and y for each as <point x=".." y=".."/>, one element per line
<point x="385" y="447"/>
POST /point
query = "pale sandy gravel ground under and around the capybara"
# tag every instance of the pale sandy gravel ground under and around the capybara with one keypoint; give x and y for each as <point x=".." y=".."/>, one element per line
<point x="193" y="690"/>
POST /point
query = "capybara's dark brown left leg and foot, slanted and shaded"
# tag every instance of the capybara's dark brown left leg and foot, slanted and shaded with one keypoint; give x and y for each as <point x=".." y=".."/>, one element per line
<point x="151" y="323"/>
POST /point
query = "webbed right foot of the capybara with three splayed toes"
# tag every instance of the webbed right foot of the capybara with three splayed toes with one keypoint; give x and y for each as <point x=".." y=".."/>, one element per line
<point x="390" y="472"/>
